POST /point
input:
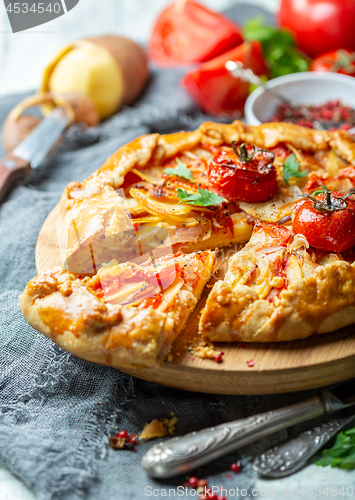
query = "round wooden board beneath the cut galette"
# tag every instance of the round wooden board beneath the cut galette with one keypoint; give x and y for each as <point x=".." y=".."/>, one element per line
<point x="278" y="367"/>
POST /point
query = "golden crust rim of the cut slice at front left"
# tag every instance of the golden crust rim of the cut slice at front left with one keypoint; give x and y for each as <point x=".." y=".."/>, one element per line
<point x="66" y="309"/>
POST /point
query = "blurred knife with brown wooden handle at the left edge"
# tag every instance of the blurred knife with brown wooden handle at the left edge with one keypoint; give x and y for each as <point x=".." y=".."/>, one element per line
<point x="31" y="152"/>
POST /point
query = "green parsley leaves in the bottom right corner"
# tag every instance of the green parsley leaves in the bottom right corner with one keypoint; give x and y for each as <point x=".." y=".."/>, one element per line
<point x="342" y="453"/>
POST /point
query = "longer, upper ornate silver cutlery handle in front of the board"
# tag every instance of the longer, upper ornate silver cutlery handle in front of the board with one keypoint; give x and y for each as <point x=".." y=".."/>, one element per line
<point x="180" y="455"/>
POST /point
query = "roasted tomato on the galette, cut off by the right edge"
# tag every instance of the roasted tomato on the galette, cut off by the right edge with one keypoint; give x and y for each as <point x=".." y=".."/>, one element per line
<point x="327" y="220"/>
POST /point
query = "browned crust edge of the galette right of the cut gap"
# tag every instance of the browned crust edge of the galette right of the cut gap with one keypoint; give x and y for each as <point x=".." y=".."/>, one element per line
<point x="317" y="304"/>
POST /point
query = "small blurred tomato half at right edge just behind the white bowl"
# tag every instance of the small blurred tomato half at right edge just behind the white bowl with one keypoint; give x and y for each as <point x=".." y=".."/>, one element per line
<point x="336" y="61"/>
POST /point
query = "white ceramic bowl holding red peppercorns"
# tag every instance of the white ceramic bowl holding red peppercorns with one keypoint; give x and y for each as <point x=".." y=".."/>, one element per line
<point x="306" y="88"/>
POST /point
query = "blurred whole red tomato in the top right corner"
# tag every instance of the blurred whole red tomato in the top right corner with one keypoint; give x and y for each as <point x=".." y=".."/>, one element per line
<point x="320" y="25"/>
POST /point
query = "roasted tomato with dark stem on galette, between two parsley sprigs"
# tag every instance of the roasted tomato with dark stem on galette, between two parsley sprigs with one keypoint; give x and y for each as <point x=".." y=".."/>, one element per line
<point x="245" y="174"/>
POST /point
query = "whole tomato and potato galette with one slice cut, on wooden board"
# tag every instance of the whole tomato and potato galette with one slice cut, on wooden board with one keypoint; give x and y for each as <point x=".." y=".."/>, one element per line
<point x="137" y="239"/>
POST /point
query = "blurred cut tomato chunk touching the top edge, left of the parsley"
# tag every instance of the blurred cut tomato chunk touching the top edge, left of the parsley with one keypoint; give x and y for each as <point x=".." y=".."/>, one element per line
<point x="188" y="32"/>
